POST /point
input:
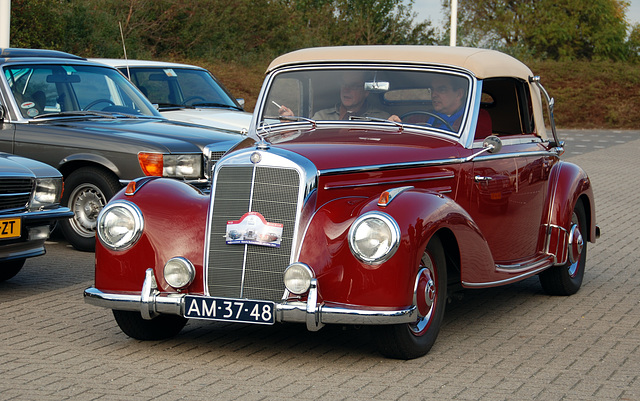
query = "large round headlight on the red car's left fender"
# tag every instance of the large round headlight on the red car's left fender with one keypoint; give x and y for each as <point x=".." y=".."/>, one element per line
<point x="120" y="225"/>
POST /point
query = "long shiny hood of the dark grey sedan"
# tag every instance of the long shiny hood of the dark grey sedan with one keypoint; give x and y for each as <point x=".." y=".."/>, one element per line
<point x="158" y="134"/>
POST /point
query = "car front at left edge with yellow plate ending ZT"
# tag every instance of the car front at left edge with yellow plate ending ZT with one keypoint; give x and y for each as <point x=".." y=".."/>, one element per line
<point x="29" y="206"/>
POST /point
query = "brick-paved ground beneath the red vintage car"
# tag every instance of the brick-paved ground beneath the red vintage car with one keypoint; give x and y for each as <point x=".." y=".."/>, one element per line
<point x="510" y="343"/>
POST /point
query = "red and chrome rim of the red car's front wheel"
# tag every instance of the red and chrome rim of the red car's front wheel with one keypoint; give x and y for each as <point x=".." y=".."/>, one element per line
<point x="425" y="296"/>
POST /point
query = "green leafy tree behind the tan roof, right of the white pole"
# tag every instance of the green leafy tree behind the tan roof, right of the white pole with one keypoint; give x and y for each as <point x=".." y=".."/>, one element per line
<point x="554" y="29"/>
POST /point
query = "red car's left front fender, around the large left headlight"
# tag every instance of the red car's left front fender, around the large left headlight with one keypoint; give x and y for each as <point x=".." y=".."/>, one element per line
<point x="175" y="220"/>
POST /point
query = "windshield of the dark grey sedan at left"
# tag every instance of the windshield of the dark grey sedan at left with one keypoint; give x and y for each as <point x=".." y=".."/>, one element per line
<point x="54" y="89"/>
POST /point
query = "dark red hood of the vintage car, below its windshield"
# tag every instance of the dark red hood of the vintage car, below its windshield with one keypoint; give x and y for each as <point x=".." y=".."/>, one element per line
<point x="356" y="147"/>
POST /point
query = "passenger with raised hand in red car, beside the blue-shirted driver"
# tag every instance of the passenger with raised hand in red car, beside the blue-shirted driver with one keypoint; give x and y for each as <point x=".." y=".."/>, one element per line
<point x="353" y="102"/>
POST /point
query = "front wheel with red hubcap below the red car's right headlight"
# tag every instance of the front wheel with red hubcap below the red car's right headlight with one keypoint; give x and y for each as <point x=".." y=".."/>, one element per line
<point x="412" y="340"/>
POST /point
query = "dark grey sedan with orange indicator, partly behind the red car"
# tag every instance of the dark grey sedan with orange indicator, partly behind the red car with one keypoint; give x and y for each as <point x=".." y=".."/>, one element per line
<point x="89" y="122"/>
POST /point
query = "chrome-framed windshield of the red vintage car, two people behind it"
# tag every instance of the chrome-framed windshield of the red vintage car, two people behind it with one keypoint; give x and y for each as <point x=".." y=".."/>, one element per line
<point x="424" y="98"/>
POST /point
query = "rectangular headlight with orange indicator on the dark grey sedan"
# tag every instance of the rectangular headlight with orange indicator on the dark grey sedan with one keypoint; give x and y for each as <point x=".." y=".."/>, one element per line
<point x="186" y="166"/>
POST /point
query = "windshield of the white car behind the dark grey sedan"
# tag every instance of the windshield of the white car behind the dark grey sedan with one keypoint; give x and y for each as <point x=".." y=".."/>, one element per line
<point x="174" y="87"/>
